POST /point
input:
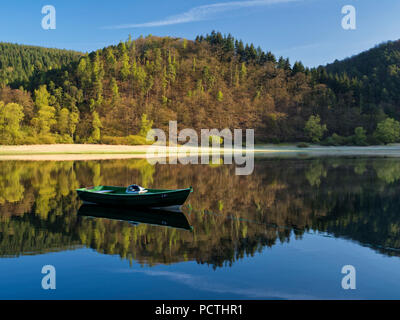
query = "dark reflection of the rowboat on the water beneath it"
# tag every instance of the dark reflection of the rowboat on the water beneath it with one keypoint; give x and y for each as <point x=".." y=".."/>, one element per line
<point x="166" y="217"/>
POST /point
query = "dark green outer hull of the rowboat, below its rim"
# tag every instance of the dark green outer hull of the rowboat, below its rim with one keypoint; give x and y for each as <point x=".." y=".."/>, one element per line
<point x="147" y="200"/>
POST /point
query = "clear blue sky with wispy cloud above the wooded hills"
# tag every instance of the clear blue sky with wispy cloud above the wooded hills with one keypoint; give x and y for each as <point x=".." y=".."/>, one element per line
<point x="305" y="30"/>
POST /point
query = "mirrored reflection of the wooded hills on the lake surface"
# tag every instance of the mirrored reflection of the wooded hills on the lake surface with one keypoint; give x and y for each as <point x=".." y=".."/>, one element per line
<point x="233" y="216"/>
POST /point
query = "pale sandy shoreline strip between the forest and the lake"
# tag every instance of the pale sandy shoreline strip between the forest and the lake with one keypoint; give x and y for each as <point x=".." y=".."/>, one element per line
<point x="71" y="152"/>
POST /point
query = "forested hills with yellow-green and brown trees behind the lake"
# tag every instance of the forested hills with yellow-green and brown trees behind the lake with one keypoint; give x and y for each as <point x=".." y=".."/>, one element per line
<point x="215" y="81"/>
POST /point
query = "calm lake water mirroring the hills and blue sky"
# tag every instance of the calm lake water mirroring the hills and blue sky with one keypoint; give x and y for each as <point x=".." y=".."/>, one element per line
<point x="284" y="232"/>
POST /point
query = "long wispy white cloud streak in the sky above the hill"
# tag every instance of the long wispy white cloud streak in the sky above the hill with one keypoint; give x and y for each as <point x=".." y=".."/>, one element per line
<point x="201" y="13"/>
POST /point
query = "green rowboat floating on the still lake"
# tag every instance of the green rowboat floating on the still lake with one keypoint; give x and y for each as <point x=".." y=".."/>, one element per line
<point x="118" y="196"/>
